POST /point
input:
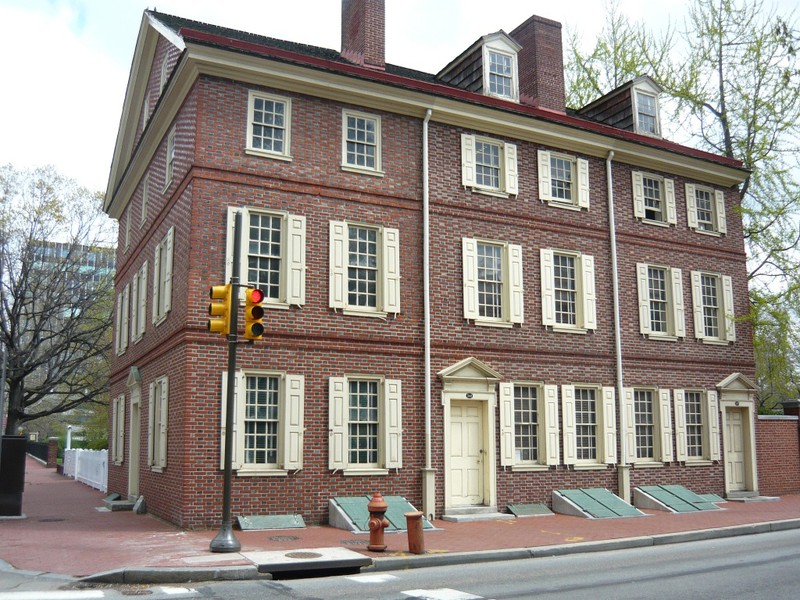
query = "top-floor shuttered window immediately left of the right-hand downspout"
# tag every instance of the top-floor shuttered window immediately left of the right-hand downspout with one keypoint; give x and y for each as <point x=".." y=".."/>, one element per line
<point x="563" y="180"/>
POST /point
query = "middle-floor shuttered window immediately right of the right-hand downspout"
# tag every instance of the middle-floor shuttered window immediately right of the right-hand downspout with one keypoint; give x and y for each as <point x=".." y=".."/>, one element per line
<point x="661" y="311"/>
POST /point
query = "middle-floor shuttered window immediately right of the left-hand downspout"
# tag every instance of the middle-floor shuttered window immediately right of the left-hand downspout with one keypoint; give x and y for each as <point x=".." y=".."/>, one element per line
<point x="493" y="292"/>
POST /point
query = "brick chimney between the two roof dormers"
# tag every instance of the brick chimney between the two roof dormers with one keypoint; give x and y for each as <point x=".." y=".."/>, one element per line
<point x="541" y="63"/>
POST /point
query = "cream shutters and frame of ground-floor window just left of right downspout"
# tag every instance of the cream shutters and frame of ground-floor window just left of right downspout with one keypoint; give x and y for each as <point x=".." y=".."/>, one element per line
<point x="605" y="423"/>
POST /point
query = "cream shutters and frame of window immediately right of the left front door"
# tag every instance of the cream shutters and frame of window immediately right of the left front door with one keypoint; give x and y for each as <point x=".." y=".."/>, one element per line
<point x="547" y="435"/>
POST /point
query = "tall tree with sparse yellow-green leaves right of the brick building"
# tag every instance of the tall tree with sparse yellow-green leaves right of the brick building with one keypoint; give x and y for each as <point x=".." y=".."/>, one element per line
<point x="734" y="79"/>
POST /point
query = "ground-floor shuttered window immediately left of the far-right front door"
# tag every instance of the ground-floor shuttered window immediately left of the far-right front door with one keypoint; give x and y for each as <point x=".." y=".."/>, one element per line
<point x="697" y="426"/>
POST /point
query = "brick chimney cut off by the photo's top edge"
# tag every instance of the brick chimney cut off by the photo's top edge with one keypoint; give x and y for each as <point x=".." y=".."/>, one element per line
<point x="363" y="32"/>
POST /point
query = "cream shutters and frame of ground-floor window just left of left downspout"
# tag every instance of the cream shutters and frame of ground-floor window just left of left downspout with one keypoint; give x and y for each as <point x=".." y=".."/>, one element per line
<point x="390" y="426"/>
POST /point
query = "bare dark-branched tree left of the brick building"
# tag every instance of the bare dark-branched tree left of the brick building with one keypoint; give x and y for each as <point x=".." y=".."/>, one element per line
<point x="56" y="294"/>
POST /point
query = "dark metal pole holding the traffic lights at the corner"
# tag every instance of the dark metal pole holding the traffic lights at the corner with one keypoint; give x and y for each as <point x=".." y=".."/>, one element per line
<point x="225" y="540"/>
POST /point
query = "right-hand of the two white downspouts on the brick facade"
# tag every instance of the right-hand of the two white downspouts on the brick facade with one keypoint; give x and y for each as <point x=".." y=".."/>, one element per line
<point x="623" y="471"/>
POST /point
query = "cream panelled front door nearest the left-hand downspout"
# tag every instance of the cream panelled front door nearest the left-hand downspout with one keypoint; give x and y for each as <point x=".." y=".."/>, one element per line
<point x="466" y="454"/>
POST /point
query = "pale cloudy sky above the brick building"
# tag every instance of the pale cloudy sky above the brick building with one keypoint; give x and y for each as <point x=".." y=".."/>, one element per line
<point x="64" y="64"/>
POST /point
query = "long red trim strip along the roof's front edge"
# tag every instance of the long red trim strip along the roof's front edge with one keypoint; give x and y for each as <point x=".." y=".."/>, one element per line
<point x="381" y="76"/>
